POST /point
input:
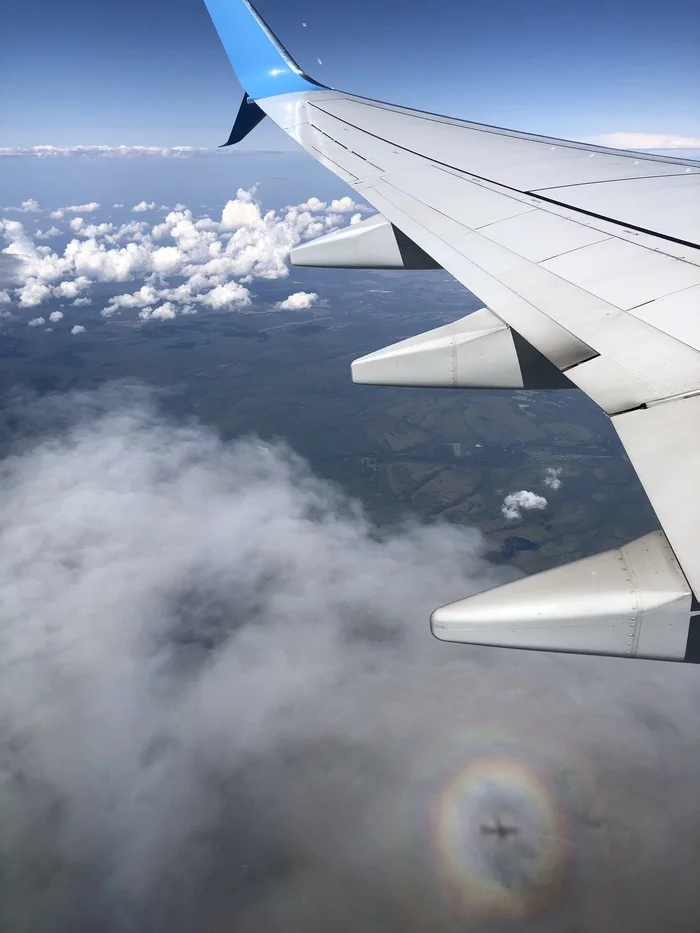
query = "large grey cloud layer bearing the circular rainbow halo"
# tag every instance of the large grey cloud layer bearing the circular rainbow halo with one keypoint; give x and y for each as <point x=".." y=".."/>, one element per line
<point x="221" y="709"/>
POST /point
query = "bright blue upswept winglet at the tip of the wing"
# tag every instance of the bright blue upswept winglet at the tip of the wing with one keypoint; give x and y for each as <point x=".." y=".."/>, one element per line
<point x="262" y="64"/>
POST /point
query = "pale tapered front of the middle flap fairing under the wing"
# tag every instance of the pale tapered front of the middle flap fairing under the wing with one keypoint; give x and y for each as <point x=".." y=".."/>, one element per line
<point x="475" y="352"/>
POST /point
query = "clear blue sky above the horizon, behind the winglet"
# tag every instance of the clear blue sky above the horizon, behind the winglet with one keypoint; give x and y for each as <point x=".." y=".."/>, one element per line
<point x="154" y="73"/>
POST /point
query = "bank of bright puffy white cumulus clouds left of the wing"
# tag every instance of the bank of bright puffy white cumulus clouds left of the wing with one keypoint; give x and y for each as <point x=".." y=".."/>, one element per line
<point x="181" y="262"/>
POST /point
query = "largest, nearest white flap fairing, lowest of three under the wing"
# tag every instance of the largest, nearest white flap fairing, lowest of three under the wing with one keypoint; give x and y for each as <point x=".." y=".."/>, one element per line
<point x="630" y="602"/>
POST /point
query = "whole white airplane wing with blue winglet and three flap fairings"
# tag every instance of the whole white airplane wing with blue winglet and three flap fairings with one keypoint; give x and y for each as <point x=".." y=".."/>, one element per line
<point x="587" y="260"/>
